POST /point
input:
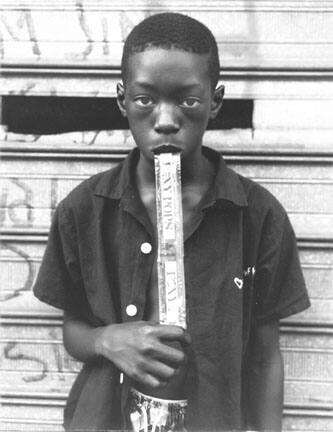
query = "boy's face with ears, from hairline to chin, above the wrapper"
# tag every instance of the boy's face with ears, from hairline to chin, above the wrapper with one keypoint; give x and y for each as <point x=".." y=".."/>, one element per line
<point x="168" y="99"/>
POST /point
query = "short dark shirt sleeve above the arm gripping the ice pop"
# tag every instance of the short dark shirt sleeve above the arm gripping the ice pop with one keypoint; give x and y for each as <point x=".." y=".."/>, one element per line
<point x="59" y="281"/>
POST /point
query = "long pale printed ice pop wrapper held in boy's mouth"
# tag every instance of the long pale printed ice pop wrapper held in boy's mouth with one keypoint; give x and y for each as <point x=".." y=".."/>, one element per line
<point x="170" y="259"/>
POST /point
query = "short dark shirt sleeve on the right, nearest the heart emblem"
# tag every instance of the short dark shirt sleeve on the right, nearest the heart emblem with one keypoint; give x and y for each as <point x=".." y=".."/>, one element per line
<point x="279" y="282"/>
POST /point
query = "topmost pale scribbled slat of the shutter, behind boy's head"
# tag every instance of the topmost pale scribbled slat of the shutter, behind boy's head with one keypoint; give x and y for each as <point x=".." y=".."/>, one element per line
<point x="98" y="35"/>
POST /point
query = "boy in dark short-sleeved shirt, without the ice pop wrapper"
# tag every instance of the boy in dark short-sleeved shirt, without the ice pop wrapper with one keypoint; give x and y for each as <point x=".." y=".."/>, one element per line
<point x="241" y="266"/>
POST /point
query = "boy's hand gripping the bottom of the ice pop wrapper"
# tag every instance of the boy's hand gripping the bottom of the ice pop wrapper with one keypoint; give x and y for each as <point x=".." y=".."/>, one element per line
<point x="141" y="351"/>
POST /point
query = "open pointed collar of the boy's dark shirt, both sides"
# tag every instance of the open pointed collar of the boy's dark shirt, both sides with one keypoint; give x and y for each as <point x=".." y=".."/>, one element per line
<point x="227" y="186"/>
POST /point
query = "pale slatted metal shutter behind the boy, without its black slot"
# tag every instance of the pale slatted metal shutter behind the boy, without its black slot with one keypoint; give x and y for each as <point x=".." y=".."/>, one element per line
<point x="277" y="54"/>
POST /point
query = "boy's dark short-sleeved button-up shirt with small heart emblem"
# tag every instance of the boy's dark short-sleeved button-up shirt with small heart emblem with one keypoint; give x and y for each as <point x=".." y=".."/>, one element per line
<point x="241" y="250"/>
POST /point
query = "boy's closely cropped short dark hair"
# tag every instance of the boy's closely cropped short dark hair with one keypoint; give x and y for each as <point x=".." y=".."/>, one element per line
<point x="171" y="30"/>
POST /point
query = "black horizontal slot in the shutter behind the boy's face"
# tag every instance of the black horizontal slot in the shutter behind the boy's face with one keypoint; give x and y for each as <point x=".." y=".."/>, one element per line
<point x="50" y="115"/>
